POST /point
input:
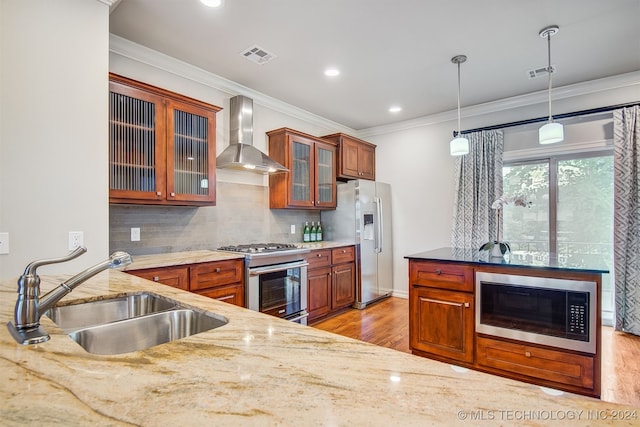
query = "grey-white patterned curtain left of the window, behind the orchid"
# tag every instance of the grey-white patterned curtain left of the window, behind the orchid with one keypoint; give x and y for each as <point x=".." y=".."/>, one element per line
<point x="479" y="184"/>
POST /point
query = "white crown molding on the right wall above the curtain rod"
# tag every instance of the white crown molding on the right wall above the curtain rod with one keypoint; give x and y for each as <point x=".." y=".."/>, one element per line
<point x="564" y="92"/>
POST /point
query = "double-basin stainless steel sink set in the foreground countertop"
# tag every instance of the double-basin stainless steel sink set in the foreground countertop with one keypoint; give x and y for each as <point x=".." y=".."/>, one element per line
<point x="131" y="322"/>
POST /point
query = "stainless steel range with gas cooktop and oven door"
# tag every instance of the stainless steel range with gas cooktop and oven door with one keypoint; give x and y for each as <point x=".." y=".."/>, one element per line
<point x="275" y="279"/>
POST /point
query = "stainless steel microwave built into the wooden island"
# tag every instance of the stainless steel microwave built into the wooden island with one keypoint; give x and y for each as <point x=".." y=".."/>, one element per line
<point x="555" y="312"/>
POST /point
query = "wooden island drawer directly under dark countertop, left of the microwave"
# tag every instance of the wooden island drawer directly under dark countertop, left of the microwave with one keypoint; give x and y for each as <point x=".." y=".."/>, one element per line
<point x="443" y="276"/>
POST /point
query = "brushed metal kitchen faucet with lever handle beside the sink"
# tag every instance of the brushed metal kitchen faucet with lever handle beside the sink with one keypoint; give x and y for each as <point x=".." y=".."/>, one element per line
<point x="26" y="328"/>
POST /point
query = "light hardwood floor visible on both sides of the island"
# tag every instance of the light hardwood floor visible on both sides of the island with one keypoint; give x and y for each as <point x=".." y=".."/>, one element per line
<point x="386" y="323"/>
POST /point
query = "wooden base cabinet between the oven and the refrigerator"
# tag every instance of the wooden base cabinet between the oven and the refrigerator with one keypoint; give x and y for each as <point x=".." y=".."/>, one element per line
<point x="331" y="281"/>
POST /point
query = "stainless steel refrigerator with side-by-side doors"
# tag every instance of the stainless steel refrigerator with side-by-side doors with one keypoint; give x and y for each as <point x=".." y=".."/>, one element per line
<point x="363" y="216"/>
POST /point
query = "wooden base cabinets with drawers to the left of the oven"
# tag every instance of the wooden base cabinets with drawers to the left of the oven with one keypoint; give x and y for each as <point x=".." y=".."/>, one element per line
<point x="221" y="280"/>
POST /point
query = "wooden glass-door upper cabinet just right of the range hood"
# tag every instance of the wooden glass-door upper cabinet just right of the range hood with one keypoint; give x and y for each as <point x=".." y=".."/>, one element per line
<point x="310" y="182"/>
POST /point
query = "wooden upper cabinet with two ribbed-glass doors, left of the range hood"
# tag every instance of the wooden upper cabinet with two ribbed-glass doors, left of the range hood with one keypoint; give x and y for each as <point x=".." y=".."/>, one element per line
<point x="162" y="146"/>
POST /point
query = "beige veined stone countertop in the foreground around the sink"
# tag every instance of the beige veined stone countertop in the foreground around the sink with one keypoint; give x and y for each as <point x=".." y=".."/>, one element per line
<point x="258" y="370"/>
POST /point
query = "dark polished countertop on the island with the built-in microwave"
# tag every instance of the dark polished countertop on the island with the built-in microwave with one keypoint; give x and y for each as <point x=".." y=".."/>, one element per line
<point x="587" y="263"/>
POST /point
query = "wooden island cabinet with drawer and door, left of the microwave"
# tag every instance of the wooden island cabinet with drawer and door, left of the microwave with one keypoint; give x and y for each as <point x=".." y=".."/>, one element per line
<point x="441" y="307"/>
